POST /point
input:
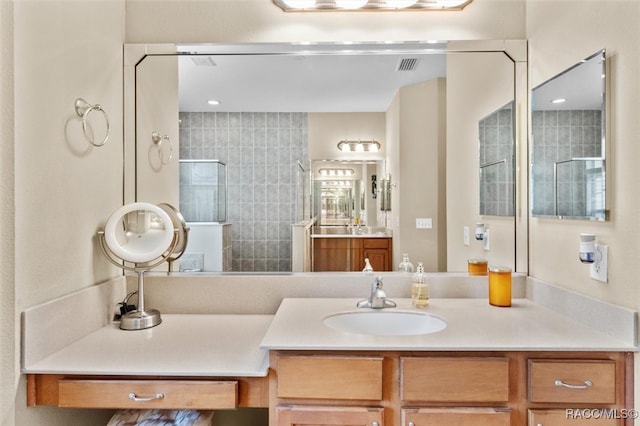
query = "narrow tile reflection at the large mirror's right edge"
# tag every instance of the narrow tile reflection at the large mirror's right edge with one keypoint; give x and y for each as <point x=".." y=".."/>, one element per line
<point x="496" y="163"/>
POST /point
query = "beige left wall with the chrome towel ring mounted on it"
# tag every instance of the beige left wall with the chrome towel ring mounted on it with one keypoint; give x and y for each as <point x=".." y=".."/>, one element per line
<point x="64" y="188"/>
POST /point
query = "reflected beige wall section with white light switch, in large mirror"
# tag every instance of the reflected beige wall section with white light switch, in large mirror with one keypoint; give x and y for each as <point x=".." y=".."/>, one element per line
<point x="417" y="118"/>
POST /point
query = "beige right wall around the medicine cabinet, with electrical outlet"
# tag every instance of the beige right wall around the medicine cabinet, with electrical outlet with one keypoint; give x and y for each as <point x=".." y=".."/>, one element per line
<point x="557" y="42"/>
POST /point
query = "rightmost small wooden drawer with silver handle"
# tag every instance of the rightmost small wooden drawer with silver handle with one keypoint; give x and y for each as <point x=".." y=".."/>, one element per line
<point x="584" y="381"/>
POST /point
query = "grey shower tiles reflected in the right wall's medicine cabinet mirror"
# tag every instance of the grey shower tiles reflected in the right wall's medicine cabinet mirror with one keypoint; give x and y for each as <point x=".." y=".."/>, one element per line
<point x="560" y="135"/>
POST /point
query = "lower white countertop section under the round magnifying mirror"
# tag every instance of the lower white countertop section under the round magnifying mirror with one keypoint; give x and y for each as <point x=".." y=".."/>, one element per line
<point x="182" y="345"/>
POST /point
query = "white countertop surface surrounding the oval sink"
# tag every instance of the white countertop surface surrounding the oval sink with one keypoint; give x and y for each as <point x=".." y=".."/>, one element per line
<point x="472" y="325"/>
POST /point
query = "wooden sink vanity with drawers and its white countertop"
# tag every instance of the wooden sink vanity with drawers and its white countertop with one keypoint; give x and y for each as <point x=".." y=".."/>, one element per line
<point x="519" y="371"/>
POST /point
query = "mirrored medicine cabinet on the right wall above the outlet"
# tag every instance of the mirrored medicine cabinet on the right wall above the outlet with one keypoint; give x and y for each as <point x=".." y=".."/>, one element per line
<point x="568" y="143"/>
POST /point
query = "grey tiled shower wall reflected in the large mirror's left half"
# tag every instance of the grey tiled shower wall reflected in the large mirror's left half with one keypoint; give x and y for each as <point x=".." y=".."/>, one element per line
<point x="261" y="151"/>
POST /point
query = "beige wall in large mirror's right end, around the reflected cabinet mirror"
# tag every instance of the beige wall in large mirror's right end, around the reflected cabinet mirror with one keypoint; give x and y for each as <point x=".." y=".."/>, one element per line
<point x="477" y="85"/>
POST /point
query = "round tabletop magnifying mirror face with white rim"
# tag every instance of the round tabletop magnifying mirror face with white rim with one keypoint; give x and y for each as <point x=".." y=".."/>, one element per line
<point x="139" y="232"/>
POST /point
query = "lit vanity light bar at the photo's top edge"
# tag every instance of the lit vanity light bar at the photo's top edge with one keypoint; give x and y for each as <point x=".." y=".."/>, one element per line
<point x="328" y="5"/>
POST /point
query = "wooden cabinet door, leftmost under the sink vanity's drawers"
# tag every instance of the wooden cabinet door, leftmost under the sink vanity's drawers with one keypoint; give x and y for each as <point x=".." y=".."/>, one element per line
<point x="329" y="416"/>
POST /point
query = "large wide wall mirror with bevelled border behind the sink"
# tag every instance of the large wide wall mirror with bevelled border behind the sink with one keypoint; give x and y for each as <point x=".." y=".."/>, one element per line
<point x="273" y="114"/>
